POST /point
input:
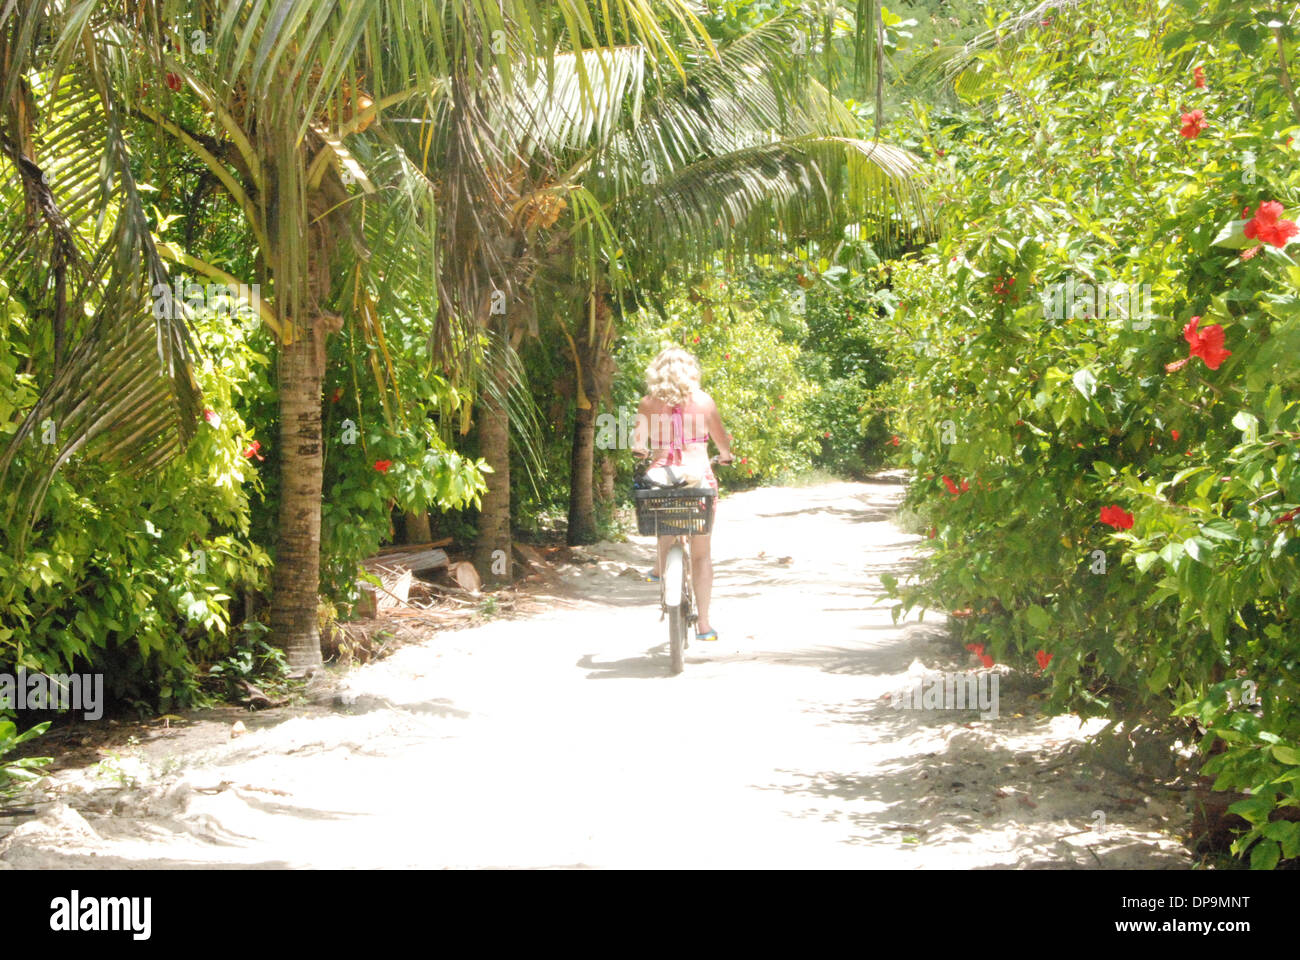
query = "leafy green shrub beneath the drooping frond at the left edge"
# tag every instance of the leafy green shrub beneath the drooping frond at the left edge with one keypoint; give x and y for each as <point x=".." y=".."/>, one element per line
<point x="127" y="576"/>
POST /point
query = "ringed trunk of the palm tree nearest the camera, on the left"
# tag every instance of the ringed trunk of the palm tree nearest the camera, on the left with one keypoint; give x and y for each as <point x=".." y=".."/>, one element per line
<point x="298" y="550"/>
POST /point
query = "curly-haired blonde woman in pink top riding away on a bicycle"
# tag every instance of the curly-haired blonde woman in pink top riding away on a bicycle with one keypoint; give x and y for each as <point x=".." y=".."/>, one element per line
<point x="677" y="421"/>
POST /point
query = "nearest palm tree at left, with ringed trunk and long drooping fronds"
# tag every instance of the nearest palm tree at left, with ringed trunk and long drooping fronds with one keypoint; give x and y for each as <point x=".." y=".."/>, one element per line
<point x="301" y="102"/>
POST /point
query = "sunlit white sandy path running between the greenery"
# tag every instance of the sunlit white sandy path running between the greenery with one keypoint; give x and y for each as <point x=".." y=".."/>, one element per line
<point x="560" y="741"/>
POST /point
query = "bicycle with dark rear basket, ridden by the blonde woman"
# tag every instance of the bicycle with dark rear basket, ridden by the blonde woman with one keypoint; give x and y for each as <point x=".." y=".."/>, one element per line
<point x="677" y="512"/>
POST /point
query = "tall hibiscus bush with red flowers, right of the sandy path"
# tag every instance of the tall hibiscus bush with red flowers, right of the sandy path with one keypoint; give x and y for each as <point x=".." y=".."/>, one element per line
<point x="1099" y="387"/>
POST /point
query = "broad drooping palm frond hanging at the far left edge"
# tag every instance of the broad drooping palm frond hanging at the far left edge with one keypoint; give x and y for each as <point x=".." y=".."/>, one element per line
<point x="125" y="391"/>
